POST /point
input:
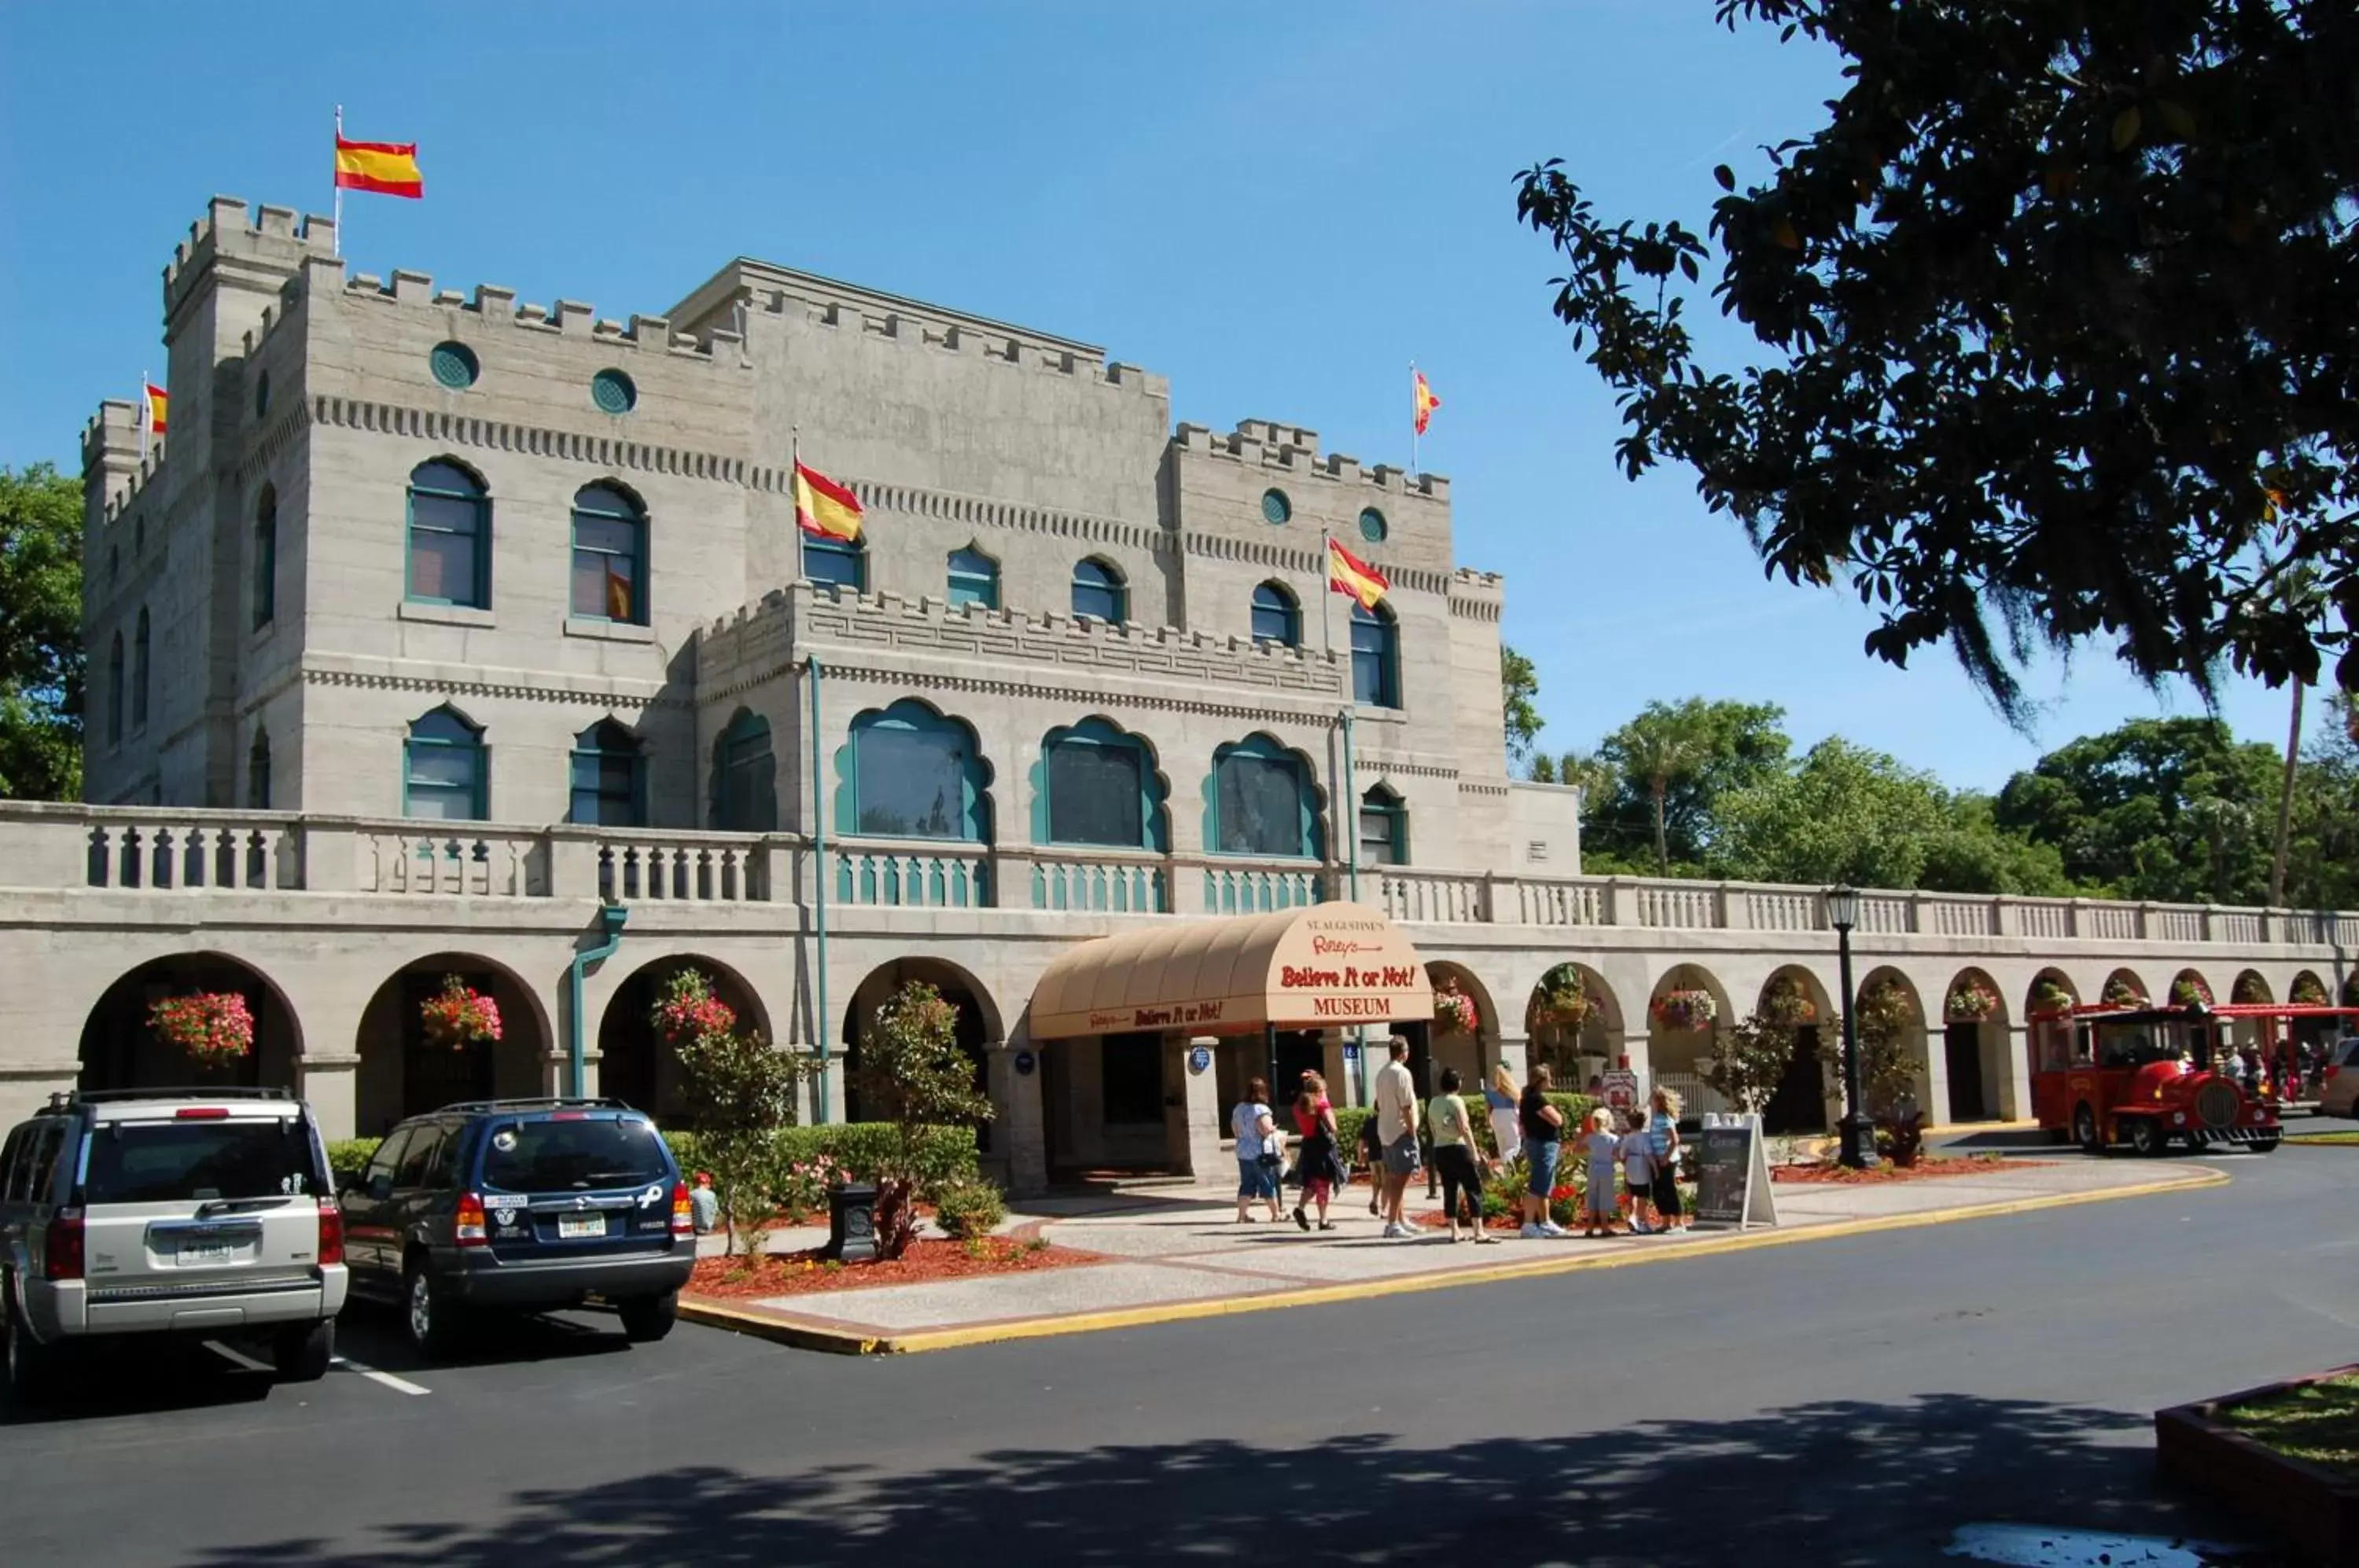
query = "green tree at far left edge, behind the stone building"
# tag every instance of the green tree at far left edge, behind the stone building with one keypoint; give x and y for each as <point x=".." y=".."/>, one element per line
<point x="41" y="635"/>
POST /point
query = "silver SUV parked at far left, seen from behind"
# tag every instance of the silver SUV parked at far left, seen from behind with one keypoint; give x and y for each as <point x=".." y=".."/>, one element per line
<point x="169" y="1213"/>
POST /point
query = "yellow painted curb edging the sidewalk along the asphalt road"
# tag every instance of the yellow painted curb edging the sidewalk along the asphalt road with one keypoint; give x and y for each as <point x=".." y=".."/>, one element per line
<point x="914" y="1343"/>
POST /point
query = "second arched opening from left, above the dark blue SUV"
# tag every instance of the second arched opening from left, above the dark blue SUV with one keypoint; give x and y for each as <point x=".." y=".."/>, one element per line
<point x="405" y="1072"/>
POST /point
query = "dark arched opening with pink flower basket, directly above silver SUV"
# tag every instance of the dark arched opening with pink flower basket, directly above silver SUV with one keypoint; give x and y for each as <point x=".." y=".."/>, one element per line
<point x="126" y="1046"/>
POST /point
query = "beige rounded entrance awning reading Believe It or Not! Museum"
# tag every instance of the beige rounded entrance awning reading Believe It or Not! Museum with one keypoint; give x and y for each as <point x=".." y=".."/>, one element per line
<point x="1327" y="966"/>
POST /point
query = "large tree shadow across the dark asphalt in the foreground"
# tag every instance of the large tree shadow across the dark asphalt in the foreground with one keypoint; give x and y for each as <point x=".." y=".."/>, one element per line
<point x="1820" y="1484"/>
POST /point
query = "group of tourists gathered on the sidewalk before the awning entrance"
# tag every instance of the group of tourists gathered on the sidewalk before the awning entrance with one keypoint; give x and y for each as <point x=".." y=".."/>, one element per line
<point x="1643" y="1149"/>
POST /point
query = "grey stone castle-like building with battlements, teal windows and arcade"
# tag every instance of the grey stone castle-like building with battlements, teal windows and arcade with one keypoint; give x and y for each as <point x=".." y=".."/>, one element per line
<point x="440" y="624"/>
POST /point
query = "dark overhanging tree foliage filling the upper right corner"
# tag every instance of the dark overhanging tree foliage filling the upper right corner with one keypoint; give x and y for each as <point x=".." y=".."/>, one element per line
<point x="2058" y="331"/>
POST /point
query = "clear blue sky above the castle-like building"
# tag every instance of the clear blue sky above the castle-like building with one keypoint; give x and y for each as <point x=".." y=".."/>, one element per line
<point x="1275" y="206"/>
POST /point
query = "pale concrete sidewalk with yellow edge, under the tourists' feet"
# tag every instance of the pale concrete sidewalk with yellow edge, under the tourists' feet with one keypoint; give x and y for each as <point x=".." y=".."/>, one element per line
<point x="1178" y="1253"/>
